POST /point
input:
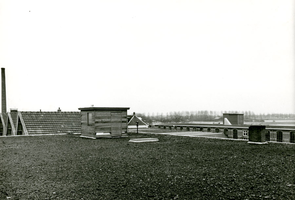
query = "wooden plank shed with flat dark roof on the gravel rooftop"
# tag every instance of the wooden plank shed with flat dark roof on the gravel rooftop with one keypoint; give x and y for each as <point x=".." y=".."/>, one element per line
<point x="103" y="121"/>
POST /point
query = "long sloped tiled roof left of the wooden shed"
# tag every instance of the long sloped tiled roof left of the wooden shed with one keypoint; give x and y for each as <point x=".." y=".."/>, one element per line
<point x="51" y="122"/>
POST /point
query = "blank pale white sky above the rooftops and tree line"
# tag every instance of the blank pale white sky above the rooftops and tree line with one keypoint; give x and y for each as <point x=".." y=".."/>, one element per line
<point x="155" y="56"/>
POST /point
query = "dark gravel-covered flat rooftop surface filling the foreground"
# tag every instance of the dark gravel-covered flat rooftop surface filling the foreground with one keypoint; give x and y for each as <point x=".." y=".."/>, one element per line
<point x="68" y="167"/>
